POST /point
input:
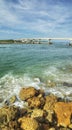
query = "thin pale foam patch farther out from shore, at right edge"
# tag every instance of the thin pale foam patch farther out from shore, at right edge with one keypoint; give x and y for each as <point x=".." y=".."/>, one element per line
<point x="57" y="75"/>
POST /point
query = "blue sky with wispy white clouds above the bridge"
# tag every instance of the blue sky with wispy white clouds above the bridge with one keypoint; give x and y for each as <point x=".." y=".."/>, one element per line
<point x="35" y="18"/>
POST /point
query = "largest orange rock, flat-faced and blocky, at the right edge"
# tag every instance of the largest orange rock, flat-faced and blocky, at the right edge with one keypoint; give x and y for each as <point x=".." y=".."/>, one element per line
<point x="63" y="112"/>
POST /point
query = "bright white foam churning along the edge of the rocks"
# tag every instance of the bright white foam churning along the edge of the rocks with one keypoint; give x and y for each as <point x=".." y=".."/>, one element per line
<point x="11" y="85"/>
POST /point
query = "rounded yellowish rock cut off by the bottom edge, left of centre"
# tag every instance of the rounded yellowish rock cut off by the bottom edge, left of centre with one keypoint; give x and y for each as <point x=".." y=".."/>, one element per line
<point x="28" y="123"/>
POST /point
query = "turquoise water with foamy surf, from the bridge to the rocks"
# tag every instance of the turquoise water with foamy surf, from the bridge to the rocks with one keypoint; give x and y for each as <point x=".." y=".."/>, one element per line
<point x="36" y="65"/>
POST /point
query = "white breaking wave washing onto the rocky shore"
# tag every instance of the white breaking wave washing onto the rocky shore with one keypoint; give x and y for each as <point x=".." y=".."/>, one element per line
<point x="11" y="84"/>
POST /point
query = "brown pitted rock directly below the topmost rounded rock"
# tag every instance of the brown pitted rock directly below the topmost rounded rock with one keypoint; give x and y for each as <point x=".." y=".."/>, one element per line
<point x="36" y="102"/>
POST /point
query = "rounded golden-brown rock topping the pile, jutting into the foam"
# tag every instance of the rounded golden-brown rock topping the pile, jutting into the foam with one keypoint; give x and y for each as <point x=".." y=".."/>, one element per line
<point x="27" y="93"/>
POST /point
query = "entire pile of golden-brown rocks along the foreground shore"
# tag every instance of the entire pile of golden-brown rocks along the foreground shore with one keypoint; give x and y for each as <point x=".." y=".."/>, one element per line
<point x="39" y="112"/>
